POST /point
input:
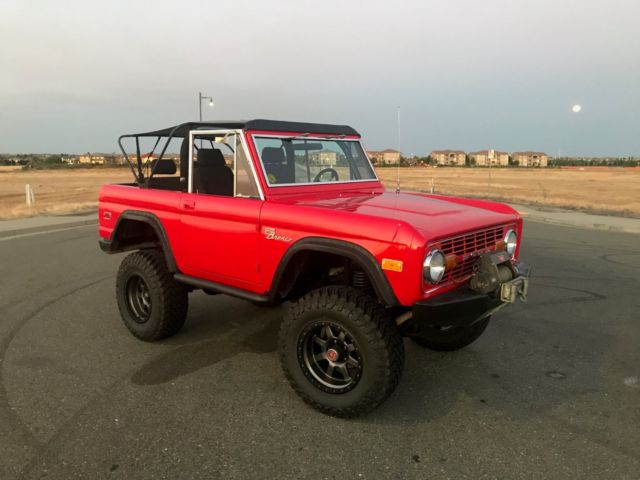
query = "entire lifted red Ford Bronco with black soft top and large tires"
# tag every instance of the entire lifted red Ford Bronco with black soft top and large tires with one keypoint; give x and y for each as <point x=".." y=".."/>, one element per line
<point x="273" y="212"/>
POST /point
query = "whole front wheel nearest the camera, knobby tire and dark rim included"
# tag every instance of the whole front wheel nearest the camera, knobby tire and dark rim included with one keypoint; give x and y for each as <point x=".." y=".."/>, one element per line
<point x="340" y="351"/>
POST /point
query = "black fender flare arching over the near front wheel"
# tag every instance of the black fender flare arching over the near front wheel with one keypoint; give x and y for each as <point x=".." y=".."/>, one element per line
<point x="354" y="252"/>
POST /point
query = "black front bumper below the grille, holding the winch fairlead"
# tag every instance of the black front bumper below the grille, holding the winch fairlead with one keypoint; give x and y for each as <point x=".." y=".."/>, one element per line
<point x="463" y="307"/>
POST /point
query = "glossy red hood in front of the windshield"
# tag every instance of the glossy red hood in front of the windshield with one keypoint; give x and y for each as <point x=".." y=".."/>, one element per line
<point x="433" y="216"/>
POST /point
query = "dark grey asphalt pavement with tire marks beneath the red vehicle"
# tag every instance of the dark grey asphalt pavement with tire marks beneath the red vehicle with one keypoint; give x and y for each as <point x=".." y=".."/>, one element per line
<point x="551" y="390"/>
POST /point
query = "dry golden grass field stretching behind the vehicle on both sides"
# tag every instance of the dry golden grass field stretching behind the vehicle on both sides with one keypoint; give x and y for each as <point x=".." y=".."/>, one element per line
<point x="613" y="191"/>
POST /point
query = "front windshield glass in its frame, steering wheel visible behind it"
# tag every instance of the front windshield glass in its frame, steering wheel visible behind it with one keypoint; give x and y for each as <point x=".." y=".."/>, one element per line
<point x="299" y="161"/>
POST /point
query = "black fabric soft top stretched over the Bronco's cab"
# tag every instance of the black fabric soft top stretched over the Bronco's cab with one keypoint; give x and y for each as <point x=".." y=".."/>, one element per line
<point x="259" y="124"/>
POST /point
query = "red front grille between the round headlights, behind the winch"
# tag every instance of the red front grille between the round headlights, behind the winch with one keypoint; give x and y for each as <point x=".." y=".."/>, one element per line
<point x="463" y="246"/>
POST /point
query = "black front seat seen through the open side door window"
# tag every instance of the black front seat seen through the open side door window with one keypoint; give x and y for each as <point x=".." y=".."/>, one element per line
<point x="211" y="175"/>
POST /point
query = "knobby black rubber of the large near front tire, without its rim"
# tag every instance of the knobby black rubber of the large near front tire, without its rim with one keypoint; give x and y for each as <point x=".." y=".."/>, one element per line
<point x="379" y="345"/>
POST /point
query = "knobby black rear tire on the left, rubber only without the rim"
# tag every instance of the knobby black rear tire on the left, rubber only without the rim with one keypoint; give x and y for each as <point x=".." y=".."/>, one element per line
<point x="169" y="300"/>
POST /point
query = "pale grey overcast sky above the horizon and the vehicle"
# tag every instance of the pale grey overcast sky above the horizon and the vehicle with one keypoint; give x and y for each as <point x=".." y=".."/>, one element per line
<point x="467" y="74"/>
